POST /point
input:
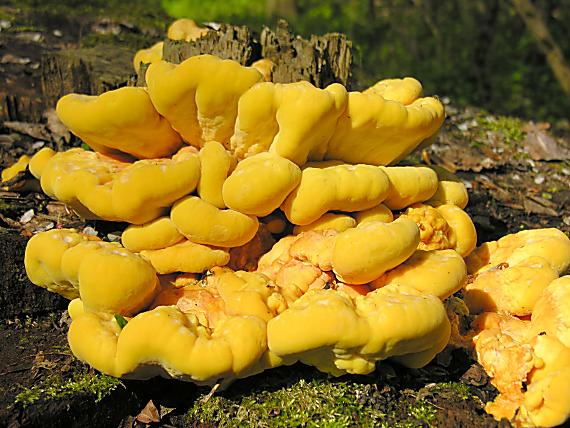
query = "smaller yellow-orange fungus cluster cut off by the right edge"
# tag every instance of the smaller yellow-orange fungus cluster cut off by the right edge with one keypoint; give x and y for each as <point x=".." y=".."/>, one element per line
<point x="521" y="330"/>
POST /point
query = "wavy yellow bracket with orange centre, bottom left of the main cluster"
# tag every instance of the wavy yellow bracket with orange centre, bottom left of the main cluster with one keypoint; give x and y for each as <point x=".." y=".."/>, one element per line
<point x="219" y="334"/>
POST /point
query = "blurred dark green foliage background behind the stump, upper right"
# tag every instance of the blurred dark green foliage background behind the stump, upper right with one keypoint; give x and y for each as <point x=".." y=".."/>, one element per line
<point x="479" y="52"/>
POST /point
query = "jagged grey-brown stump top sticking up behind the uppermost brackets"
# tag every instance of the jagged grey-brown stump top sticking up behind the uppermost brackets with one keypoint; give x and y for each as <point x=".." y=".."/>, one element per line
<point x="321" y="60"/>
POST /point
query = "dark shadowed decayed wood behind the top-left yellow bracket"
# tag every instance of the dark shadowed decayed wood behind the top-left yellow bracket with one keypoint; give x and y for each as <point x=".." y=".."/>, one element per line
<point x="87" y="71"/>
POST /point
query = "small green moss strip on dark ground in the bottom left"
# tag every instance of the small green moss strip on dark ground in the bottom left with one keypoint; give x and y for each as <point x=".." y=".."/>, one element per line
<point x="96" y="385"/>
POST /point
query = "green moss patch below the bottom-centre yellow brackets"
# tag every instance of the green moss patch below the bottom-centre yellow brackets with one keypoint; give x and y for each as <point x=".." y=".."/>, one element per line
<point x="317" y="402"/>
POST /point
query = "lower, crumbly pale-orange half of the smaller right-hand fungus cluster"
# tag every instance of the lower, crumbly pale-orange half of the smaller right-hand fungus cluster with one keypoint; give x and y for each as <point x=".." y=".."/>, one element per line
<point x="531" y="372"/>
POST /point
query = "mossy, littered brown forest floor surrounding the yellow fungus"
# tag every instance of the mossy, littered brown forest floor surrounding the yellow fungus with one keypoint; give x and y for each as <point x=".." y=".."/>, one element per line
<point x="517" y="173"/>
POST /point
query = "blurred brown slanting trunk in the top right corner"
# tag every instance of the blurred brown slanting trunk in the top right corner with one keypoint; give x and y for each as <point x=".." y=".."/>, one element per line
<point x="536" y="24"/>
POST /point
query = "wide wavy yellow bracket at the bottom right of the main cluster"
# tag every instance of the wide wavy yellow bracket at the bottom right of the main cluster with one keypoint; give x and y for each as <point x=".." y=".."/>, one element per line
<point x="338" y="335"/>
